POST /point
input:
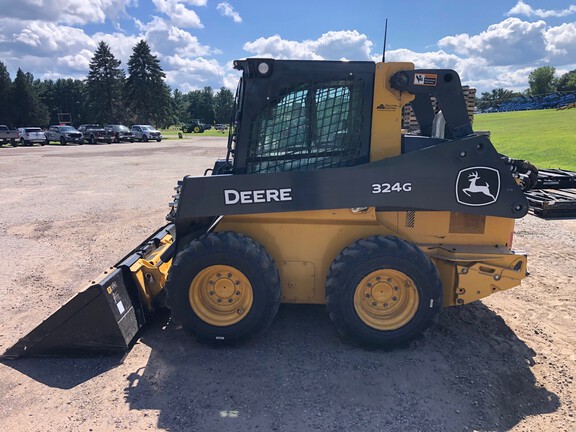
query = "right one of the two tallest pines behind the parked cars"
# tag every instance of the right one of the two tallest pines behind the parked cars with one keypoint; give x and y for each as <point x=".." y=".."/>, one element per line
<point x="146" y="92"/>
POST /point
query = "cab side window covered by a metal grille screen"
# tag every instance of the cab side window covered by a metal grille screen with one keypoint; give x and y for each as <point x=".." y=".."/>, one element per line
<point x="311" y="126"/>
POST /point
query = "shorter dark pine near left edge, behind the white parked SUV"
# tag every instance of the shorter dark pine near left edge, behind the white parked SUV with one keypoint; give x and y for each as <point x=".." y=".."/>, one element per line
<point x="27" y="108"/>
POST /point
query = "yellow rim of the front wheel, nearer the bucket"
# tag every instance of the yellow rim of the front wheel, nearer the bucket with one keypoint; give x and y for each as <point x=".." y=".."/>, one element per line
<point x="220" y="295"/>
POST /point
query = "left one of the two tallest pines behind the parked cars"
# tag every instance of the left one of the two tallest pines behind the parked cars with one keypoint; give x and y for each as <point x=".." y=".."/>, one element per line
<point x="104" y="85"/>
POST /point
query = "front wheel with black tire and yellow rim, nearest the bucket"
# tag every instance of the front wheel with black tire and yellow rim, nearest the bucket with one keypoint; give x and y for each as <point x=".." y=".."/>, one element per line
<point x="221" y="311"/>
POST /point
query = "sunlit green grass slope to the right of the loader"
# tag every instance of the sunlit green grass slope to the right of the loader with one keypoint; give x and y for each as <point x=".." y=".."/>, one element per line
<point x="547" y="138"/>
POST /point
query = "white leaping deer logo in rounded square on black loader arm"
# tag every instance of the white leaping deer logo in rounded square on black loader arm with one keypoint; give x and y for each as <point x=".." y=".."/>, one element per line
<point x="477" y="186"/>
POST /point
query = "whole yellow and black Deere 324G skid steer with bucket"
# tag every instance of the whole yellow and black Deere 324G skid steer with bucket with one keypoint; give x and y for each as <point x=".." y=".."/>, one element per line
<point x="321" y="199"/>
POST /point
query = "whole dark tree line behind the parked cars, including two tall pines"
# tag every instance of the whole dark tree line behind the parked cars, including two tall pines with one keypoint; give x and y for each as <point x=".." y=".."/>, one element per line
<point x="109" y="94"/>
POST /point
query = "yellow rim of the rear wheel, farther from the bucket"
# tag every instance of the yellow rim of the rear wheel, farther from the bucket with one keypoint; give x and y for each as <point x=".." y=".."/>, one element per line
<point x="386" y="299"/>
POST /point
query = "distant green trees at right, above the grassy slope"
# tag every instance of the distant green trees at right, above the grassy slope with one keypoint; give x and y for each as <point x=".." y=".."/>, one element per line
<point x="542" y="81"/>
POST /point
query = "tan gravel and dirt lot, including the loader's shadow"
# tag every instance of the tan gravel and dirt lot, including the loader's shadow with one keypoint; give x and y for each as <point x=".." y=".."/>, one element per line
<point x="507" y="363"/>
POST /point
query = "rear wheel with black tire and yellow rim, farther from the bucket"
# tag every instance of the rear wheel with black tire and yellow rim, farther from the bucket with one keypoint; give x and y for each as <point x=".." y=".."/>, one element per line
<point x="383" y="291"/>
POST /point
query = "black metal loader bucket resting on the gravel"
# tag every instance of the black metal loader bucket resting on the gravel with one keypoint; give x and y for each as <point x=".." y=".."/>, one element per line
<point x="102" y="319"/>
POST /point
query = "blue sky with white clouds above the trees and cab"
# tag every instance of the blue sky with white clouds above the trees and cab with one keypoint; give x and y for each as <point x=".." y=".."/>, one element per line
<point x="489" y="43"/>
